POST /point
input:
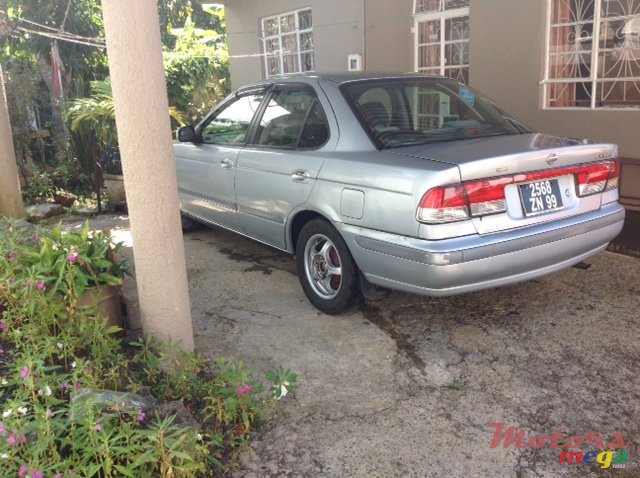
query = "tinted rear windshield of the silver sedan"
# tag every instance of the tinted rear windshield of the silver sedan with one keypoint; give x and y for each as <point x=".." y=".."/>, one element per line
<point x="413" y="111"/>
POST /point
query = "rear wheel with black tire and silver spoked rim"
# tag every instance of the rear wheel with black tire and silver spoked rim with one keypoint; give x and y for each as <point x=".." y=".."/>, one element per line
<point x="327" y="272"/>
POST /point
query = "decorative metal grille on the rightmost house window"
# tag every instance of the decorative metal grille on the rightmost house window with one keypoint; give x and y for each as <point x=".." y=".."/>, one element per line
<point x="592" y="54"/>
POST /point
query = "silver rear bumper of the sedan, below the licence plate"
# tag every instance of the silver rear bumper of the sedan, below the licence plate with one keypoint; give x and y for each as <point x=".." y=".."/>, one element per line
<point x="470" y="263"/>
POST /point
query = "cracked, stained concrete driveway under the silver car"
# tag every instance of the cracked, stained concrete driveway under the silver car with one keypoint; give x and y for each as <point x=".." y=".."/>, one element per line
<point x="407" y="386"/>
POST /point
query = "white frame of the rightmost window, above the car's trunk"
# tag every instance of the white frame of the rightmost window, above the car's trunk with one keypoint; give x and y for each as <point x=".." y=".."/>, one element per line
<point x="593" y="78"/>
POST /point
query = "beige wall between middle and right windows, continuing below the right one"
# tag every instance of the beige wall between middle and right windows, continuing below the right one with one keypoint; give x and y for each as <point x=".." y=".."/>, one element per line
<point x="507" y="64"/>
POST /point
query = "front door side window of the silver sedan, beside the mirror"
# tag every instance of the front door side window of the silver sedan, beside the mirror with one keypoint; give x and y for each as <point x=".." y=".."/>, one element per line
<point x="231" y="124"/>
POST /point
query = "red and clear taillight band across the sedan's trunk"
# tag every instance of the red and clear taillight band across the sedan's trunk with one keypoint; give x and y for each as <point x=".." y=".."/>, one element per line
<point x="484" y="197"/>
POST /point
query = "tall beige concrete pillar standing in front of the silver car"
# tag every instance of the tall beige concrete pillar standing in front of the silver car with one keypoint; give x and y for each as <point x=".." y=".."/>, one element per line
<point x="134" y="49"/>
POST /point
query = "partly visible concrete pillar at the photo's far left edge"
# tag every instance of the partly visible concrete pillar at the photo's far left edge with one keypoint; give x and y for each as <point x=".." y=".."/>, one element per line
<point x="10" y="195"/>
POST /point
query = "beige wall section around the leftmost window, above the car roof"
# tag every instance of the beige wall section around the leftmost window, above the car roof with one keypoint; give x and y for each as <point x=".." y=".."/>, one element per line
<point x="340" y="28"/>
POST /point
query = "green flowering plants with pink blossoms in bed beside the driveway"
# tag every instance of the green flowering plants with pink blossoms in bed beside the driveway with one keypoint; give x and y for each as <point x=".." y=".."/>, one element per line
<point x="68" y="383"/>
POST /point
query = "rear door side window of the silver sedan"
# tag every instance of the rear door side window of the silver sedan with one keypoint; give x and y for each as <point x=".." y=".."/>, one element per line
<point x="293" y="118"/>
